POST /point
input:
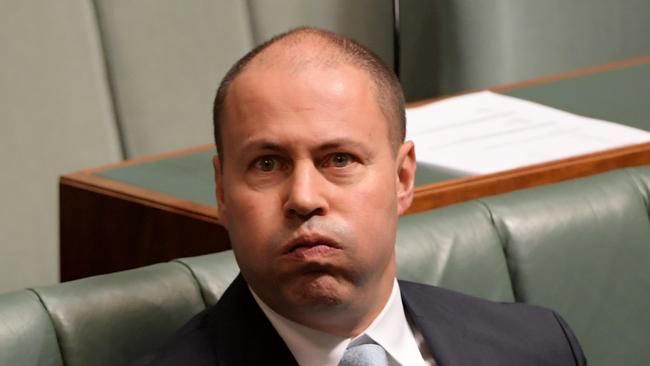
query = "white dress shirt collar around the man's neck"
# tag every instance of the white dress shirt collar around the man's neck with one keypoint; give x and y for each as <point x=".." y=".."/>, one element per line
<point x="390" y="329"/>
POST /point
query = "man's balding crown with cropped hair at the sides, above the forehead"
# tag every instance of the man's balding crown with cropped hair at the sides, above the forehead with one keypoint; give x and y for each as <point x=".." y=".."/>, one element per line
<point x="328" y="50"/>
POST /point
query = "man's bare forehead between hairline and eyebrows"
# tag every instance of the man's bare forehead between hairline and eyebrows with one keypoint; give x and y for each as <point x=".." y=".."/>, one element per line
<point x="306" y="102"/>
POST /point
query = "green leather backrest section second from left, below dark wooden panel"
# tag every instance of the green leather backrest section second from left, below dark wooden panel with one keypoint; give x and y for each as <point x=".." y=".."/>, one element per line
<point x="116" y="318"/>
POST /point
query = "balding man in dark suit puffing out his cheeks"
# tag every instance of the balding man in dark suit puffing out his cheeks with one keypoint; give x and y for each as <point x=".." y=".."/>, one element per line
<point x="312" y="174"/>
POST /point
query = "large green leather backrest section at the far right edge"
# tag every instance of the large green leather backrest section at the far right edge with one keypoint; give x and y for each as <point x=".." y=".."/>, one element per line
<point x="582" y="248"/>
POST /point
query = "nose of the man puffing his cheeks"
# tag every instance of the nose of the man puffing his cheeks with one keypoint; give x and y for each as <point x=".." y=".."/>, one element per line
<point x="304" y="197"/>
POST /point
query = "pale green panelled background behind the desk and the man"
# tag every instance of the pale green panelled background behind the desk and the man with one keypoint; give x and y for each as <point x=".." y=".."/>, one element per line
<point x="85" y="83"/>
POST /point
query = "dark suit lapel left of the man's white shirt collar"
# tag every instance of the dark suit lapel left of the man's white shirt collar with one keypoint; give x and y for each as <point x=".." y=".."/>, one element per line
<point x="243" y="334"/>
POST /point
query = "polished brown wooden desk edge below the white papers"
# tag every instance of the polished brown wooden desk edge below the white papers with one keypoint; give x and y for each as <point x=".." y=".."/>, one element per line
<point x="468" y="188"/>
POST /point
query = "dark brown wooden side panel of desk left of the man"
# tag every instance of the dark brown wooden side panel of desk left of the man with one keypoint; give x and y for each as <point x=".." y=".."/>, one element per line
<point x="103" y="231"/>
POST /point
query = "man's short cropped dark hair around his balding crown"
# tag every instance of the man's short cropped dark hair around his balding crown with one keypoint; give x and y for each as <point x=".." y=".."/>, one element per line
<point x="388" y="90"/>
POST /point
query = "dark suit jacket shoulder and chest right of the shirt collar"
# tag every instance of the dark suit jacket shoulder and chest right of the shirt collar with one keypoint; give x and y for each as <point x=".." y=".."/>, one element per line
<point x="508" y="333"/>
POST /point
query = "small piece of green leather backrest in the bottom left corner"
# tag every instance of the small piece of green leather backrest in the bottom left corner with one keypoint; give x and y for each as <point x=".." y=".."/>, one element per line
<point x="27" y="337"/>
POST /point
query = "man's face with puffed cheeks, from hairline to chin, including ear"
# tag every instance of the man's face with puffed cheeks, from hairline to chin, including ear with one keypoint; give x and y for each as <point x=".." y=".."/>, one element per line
<point x="310" y="189"/>
